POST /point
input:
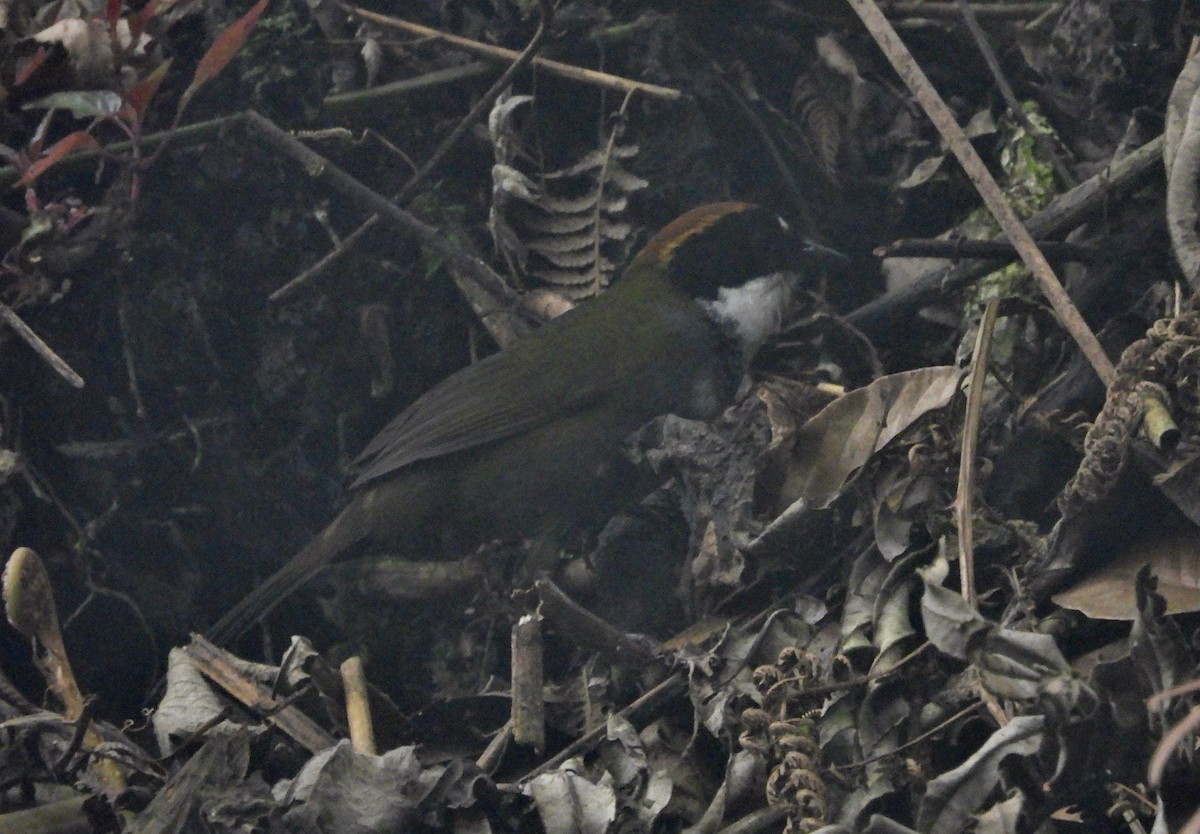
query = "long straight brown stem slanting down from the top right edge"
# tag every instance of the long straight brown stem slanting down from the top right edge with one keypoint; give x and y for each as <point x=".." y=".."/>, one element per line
<point x="885" y="35"/>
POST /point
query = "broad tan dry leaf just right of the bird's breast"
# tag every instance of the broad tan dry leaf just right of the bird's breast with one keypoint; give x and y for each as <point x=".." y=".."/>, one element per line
<point x="835" y="445"/>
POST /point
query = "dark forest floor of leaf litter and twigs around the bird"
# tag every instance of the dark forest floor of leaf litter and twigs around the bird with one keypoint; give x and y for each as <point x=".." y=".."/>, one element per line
<point x="937" y="571"/>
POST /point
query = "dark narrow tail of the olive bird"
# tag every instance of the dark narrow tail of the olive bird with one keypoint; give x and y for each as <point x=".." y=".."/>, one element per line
<point x="316" y="556"/>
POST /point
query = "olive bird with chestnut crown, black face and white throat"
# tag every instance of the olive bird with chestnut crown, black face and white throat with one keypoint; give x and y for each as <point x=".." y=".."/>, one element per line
<point x="527" y="445"/>
